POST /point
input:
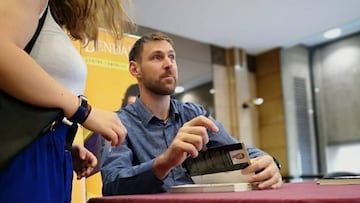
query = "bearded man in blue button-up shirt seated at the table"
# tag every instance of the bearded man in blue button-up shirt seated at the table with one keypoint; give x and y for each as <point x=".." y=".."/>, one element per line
<point x="163" y="131"/>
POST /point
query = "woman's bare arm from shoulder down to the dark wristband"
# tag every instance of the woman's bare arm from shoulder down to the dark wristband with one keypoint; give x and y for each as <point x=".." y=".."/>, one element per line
<point x="21" y="76"/>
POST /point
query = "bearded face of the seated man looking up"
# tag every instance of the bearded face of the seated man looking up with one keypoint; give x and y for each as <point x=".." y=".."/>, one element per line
<point x="158" y="67"/>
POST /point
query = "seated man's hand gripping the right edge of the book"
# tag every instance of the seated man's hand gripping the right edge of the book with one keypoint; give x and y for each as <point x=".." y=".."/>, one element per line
<point x="268" y="175"/>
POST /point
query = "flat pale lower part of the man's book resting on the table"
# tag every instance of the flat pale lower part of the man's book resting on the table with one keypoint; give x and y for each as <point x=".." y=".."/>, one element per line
<point x="220" y="187"/>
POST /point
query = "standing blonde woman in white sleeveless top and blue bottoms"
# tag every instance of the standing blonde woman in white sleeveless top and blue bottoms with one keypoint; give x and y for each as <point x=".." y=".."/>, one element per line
<point x="53" y="75"/>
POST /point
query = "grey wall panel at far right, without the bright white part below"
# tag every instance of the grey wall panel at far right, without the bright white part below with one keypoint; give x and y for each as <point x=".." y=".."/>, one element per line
<point x="336" y="69"/>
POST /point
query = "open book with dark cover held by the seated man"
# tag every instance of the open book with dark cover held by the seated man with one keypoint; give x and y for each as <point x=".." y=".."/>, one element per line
<point x="218" y="169"/>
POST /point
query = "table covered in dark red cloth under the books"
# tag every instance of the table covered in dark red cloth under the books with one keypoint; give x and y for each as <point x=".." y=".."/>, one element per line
<point x="304" y="192"/>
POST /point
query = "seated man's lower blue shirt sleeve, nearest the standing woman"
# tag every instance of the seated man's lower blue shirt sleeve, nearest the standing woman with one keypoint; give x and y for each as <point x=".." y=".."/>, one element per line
<point x="120" y="177"/>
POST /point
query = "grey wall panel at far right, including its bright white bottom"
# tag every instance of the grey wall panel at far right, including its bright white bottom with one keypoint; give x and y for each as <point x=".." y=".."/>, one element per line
<point x="336" y="69"/>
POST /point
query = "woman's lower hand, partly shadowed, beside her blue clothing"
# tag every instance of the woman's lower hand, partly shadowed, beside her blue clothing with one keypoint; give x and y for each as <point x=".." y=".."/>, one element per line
<point x="83" y="161"/>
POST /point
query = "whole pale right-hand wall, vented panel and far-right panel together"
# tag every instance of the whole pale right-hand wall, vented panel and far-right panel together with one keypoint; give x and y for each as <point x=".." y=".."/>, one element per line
<point x="322" y="106"/>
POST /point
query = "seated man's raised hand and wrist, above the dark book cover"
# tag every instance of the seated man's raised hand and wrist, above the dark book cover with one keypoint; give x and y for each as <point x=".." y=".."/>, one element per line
<point x="190" y="139"/>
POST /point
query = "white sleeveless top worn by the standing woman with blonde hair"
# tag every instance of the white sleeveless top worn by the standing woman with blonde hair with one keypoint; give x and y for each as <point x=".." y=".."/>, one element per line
<point x="56" y="54"/>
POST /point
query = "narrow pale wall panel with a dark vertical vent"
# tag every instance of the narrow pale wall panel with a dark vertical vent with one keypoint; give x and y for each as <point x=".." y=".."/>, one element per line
<point x="299" y="112"/>
